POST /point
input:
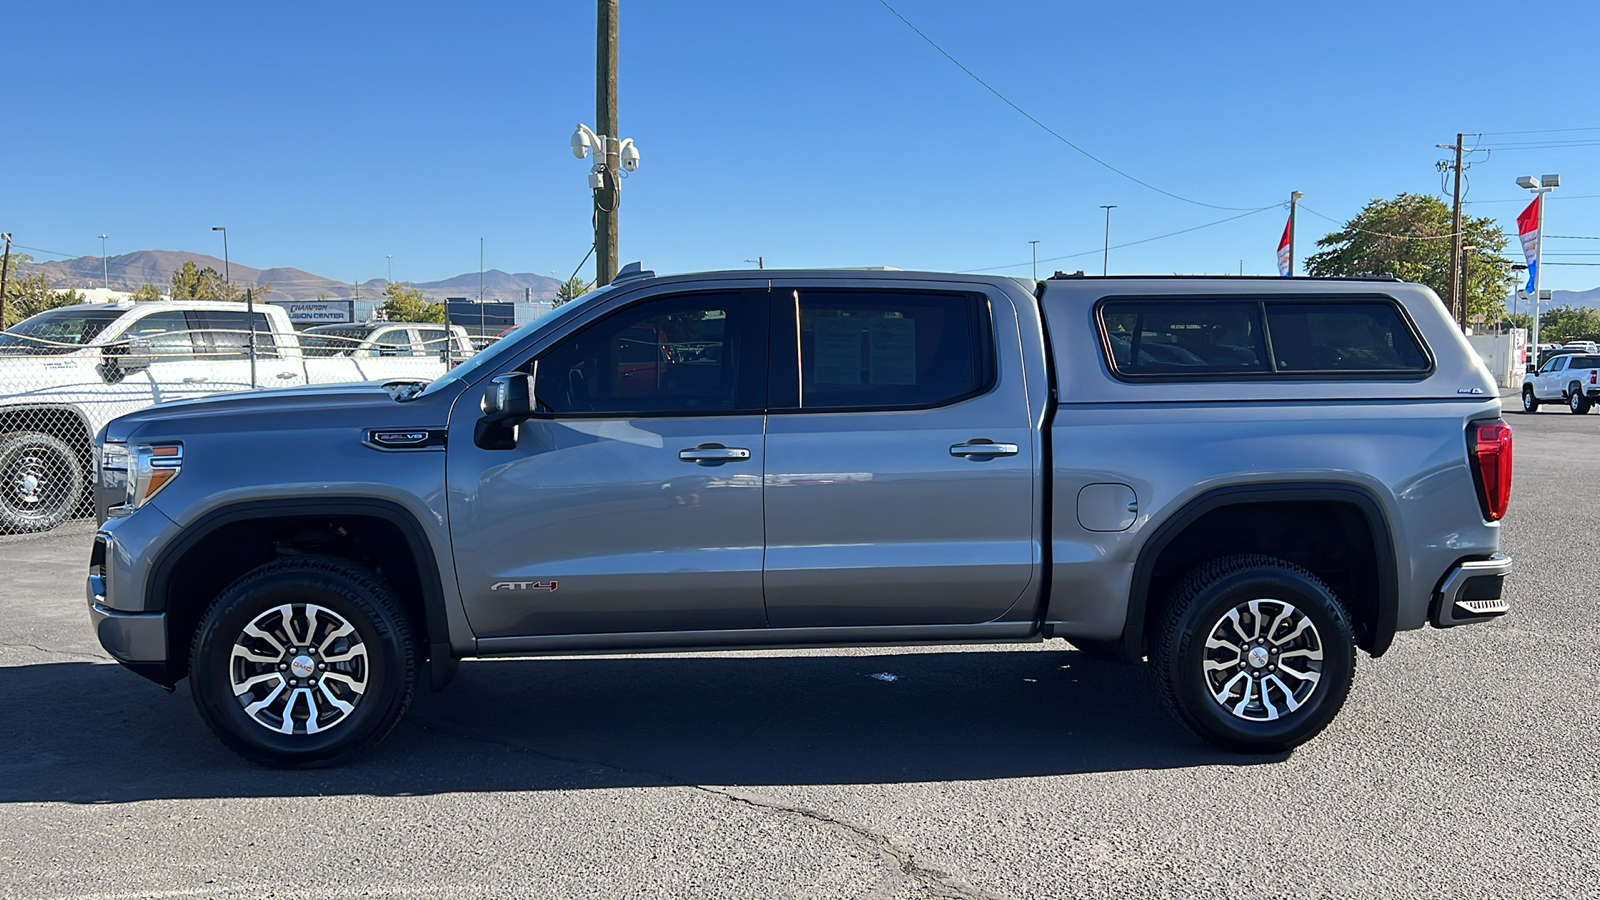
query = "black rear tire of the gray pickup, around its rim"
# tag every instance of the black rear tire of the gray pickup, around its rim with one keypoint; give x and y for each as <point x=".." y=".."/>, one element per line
<point x="1202" y="601"/>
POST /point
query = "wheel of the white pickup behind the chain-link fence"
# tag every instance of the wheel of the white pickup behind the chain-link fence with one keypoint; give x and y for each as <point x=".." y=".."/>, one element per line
<point x="41" y="481"/>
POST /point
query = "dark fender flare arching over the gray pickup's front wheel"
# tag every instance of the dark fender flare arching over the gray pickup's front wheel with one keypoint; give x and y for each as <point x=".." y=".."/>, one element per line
<point x="442" y="661"/>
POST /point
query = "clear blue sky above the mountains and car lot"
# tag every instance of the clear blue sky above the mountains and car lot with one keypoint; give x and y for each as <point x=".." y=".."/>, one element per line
<point x="814" y="134"/>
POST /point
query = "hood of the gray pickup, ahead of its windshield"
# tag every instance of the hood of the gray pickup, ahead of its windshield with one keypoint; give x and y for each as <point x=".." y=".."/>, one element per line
<point x="366" y="404"/>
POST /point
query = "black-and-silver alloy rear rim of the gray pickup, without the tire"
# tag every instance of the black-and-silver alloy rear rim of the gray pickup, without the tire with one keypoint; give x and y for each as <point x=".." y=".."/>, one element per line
<point x="1263" y="661"/>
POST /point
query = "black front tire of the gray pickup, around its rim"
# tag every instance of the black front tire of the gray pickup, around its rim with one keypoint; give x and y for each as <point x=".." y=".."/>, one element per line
<point x="345" y="592"/>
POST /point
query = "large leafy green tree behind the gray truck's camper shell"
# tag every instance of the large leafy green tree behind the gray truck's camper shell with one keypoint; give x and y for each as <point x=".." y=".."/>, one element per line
<point x="1409" y="238"/>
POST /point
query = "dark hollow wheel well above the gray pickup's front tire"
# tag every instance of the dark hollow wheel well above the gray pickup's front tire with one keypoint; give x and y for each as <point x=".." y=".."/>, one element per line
<point x="207" y="568"/>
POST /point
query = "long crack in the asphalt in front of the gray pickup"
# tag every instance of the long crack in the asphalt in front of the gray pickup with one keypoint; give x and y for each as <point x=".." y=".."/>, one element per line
<point x="937" y="883"/>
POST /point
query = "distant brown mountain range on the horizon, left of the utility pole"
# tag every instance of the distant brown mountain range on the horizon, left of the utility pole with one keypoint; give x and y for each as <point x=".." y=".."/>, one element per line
<point x="130" y="271"/>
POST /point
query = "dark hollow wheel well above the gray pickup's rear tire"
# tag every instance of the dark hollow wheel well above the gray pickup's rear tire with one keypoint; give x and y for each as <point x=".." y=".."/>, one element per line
<point x="1332" y="539"/>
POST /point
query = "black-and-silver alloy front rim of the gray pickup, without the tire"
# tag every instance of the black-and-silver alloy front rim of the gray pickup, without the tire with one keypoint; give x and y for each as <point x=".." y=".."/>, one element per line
<point x="300" y="669"/>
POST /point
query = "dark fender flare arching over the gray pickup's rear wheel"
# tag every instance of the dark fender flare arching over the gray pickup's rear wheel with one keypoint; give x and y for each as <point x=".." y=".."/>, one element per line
<point x="1281" y="492"/>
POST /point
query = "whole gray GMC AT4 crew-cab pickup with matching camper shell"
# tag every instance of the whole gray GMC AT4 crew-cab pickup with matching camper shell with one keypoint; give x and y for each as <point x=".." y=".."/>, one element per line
<point x="1242" y="481"/>
